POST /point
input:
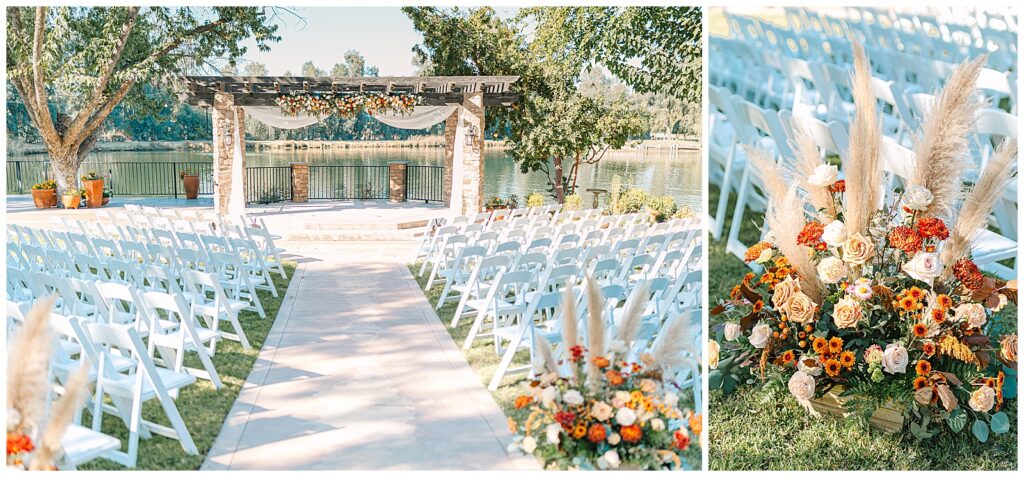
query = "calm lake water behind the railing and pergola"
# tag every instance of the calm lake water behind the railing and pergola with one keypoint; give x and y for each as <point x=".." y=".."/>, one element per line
<point x="657" y="172"/>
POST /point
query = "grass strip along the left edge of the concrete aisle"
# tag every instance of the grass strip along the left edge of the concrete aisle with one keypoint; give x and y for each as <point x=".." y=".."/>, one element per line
<point x="202" y="408"/>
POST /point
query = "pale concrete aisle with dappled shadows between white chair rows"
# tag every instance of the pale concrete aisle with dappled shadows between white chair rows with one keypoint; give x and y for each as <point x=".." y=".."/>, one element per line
<point x="358" y="373"/>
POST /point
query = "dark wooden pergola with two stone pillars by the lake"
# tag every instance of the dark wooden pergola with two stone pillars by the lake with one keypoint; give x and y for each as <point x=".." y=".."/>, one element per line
<point x="228" y="96"/>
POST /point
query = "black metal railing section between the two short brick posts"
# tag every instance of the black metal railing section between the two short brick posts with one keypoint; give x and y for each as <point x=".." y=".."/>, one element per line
<point x="350" y="183"/>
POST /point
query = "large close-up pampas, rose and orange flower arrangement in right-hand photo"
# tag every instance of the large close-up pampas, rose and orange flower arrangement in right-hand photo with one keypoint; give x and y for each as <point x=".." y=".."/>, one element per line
<point x="883" y="305"/>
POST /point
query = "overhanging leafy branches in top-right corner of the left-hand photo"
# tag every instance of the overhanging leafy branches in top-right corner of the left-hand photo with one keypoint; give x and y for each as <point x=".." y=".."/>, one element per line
<point x="653" y="50"/>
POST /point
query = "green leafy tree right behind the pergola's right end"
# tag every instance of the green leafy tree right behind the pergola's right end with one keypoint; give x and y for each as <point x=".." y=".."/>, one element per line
<point x="554" y="129"/>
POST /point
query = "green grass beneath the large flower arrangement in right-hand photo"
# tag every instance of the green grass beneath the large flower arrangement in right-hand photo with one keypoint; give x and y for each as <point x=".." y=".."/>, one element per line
<point x="753" y="429"/>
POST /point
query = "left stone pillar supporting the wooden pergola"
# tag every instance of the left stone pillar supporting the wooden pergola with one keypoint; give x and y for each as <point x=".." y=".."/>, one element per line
<point x="225" y="182"/>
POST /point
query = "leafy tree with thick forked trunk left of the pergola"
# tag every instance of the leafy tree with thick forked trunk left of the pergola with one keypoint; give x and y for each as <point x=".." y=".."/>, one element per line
<point x="93" y="60"/>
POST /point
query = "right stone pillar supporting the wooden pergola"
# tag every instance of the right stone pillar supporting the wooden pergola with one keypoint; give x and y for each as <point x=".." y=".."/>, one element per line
<point x="473" y="155"/>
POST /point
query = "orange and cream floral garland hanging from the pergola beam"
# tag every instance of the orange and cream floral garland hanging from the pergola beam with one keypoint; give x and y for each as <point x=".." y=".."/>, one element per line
<point x="346" y="106"/>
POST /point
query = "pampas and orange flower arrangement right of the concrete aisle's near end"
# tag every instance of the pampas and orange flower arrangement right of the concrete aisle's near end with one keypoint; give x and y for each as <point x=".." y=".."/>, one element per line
<point x="606" y="412"/>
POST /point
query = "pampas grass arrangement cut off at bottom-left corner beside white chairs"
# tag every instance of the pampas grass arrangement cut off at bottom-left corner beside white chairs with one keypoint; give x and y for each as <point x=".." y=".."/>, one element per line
<point x="33" y="442"/>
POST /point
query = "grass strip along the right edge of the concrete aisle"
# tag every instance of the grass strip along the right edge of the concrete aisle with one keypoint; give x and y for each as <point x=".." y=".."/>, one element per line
<point x="484" y="361"/>
